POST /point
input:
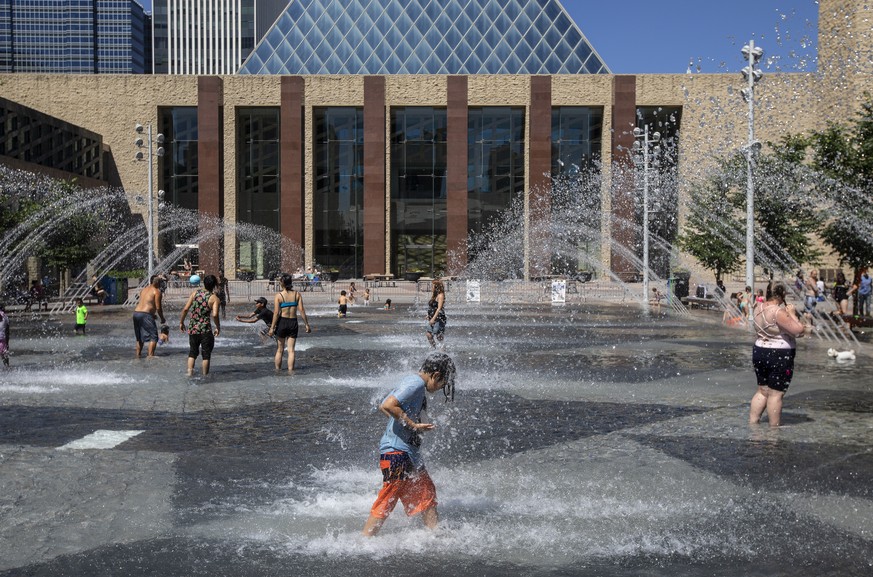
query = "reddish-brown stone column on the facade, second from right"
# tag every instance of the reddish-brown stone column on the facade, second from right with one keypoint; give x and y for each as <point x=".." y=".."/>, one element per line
<point x="539" y="166"/>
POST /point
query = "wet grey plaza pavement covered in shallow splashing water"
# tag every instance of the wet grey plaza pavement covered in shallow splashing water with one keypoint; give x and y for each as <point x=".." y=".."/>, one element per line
<point x="584" y="440"/>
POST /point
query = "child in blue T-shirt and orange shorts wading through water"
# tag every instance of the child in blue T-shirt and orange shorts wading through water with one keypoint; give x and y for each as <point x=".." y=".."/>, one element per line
<point x="404" y="477"/>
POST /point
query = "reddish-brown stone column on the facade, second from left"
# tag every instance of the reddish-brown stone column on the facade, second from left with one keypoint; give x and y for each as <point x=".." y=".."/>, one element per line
<point x="291" y="202"/>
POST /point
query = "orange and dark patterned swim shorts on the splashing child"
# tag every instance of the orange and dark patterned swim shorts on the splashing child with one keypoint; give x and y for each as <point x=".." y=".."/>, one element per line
<point x="401" y="481"/>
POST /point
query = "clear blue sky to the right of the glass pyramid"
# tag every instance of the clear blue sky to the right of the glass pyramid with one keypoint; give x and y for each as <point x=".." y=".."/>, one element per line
<point x="662" y="36"/>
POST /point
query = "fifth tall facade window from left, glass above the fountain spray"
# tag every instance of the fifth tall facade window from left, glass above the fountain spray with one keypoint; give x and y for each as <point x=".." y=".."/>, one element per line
<point x="495" y="170"/>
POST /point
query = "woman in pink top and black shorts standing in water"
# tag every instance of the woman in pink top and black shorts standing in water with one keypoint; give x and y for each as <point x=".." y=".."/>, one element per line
<point x="777" y="329"/>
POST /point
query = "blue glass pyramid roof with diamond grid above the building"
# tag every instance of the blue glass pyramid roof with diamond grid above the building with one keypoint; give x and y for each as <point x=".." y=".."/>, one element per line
<point x="424" y="37"/>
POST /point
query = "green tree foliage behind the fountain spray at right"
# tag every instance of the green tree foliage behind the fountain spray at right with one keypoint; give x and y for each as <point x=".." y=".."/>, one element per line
<point x="811" y="185"/>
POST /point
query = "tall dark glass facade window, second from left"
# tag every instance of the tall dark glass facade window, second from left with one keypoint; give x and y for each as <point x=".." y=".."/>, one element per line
<point x="258" y="190"/>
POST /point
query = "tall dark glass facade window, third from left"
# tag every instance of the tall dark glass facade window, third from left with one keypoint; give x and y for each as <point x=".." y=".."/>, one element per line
<point x="338" y="204"/>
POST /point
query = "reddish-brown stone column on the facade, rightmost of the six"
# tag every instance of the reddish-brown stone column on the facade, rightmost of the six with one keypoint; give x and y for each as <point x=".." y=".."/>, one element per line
<point x="624" y="118"/>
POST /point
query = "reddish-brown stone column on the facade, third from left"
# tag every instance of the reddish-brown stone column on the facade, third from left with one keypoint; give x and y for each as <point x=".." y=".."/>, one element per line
<point x="374" y="175"/>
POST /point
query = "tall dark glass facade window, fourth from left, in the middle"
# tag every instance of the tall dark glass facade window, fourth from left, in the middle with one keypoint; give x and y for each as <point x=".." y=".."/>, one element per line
<point x="418" y="190"/>
